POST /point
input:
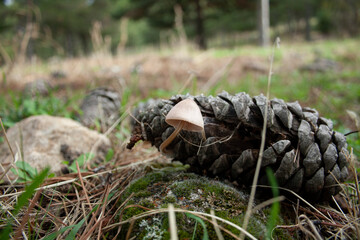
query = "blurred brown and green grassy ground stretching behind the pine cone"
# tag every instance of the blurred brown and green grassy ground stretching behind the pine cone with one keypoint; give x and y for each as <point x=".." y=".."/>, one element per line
<point x="324" y="75"/>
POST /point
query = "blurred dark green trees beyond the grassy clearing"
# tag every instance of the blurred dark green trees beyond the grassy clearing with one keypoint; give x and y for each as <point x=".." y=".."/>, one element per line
<point x="66" y="28"/>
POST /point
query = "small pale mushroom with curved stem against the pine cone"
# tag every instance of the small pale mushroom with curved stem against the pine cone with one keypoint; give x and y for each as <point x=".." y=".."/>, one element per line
<point x="185" y="115"/>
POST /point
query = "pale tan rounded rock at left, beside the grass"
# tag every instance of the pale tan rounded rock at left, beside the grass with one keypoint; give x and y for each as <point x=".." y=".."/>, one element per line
<point x="44" y="140"/>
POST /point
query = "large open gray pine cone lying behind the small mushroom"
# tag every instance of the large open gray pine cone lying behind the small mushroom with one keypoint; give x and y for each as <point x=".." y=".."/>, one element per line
<point x="301" y="148"/>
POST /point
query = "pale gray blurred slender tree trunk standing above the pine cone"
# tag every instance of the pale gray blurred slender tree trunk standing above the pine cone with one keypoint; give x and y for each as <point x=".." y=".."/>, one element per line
<point x="264" y="22"/>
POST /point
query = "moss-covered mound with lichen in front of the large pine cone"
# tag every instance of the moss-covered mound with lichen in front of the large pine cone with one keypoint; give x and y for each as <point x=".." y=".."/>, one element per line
<point x="189" y="191"/>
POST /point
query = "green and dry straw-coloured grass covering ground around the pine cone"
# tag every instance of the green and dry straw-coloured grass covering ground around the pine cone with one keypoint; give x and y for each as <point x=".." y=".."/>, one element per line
<point x="84" y="204"/>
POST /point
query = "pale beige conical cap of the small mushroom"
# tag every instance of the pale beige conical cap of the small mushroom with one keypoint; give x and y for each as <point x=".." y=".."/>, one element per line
<point x="189" y="112"/>
